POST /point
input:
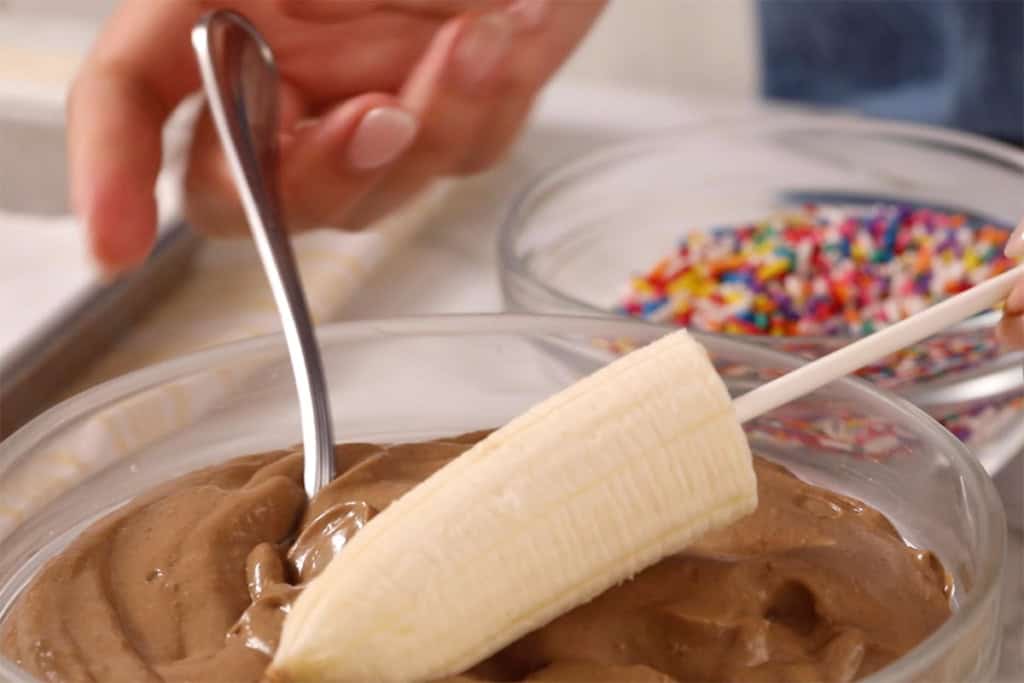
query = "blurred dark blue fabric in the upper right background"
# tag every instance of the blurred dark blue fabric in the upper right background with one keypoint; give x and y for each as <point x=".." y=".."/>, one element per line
<point x="952" y="63"/>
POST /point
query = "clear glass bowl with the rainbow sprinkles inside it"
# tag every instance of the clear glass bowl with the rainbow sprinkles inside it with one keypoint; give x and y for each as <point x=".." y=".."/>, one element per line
<point x="799" y="232"/>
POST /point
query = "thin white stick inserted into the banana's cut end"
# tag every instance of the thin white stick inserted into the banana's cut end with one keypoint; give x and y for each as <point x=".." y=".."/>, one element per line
<point x="876" y="347"/>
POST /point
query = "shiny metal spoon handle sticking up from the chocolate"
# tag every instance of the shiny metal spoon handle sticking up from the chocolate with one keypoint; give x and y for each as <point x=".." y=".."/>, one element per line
<point x="240" y="79"/>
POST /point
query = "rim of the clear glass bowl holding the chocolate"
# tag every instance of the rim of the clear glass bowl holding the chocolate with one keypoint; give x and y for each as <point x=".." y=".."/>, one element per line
<point x="986" y="584"/>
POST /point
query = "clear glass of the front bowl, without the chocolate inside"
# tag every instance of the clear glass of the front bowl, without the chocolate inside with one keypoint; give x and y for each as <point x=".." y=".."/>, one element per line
<point x="418" y="378"/>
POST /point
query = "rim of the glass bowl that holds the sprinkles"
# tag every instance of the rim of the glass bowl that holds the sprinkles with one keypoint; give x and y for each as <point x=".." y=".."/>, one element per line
<point x="517" y="215"/>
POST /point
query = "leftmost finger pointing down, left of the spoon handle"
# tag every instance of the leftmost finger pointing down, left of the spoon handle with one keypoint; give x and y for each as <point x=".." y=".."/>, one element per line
<point x="116" y="111"/>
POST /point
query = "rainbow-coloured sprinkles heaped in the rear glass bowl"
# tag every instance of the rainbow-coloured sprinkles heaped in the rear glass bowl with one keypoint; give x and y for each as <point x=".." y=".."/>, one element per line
<point x="836" y="271"/>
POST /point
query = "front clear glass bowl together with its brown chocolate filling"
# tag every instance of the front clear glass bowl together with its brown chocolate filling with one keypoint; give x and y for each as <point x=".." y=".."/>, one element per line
<point x="418" y="379"/>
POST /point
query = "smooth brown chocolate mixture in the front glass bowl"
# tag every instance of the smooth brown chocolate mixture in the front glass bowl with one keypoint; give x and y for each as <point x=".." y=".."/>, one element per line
<point x="192" y="582"/>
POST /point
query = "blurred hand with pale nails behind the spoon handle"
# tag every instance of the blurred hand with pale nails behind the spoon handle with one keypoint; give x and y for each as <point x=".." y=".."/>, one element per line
<point x="378" y="99"/>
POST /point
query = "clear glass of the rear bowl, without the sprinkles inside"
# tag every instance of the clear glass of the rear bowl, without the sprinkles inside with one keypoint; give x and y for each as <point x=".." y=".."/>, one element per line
<point x="574" y="239"/>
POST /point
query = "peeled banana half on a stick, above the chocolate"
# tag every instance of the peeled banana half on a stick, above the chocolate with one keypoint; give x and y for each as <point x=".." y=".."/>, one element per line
<point x="592" y="486"/>
